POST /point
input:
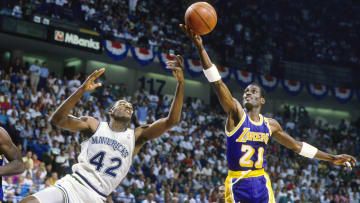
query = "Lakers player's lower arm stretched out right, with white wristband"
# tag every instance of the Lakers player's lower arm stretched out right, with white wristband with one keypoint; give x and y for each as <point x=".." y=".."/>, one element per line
<point x="306" y="149"/>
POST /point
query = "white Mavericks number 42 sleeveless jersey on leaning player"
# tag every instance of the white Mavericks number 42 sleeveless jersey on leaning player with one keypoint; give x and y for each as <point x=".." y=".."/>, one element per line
<point x="105" y="159"/>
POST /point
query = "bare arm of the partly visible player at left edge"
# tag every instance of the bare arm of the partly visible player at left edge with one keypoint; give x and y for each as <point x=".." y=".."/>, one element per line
<point x="12" y="154"/>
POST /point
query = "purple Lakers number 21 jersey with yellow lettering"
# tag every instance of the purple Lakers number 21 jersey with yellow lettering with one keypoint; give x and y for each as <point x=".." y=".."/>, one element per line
<point x="247" y="144"/>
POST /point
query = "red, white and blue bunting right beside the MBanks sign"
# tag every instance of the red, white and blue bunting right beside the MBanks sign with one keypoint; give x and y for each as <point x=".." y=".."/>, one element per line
<point x="116" y="50"/>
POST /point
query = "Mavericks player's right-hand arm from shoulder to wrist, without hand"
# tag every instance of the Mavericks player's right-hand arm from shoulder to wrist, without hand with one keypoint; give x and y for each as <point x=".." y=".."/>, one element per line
<point x="156" y="129"/>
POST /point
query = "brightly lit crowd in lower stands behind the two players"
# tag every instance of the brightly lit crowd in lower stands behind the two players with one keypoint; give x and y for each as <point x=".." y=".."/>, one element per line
<point x="186" y="164"/>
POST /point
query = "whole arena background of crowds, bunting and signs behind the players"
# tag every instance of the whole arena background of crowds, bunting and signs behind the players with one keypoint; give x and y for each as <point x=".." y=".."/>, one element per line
<point x="305" y="54"/>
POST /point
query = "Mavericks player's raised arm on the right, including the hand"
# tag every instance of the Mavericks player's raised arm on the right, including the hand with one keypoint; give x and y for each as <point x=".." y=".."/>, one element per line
<point x="156" y="129"/>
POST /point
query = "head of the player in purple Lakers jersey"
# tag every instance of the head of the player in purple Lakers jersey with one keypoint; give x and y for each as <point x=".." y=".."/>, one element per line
<point x="252" y="97"/>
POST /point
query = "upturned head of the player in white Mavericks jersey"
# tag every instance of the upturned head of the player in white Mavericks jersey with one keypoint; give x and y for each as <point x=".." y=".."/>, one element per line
<point x="122" y="110"/>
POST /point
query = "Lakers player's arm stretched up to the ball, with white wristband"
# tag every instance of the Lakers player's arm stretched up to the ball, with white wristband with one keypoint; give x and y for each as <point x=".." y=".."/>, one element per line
<point x="228" y="103"/>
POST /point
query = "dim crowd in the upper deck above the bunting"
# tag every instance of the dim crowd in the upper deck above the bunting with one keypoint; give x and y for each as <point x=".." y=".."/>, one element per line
<point x="251" y="32"/>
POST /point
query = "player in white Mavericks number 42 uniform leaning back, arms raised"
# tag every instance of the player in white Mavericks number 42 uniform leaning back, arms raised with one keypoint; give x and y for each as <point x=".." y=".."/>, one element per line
<point x="107" y="154"/>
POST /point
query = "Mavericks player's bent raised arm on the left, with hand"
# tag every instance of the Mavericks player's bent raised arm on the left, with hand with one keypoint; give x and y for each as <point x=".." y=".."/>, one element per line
<point x="62" y="118"/>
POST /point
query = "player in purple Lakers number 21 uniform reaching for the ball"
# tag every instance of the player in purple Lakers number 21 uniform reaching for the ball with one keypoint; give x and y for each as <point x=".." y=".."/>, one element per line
<point x="247" y="136"/>
